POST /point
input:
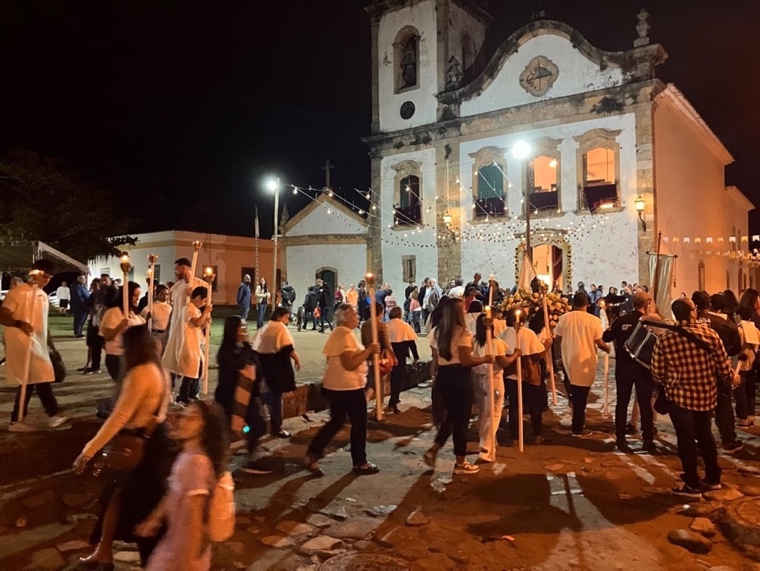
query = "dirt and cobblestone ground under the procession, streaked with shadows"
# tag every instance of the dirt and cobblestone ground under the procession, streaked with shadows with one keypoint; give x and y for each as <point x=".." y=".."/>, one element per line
<point x="569" y="503"/>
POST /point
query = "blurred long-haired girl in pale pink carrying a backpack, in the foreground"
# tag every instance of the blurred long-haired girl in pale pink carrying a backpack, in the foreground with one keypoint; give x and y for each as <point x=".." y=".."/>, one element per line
<point x="201" y="430"/>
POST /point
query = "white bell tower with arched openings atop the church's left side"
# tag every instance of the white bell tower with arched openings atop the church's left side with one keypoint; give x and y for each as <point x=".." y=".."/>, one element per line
<point x="419" y="49"/>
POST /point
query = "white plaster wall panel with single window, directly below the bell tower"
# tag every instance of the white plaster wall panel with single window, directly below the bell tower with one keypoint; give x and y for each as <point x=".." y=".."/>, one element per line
<point x="397" y="243"/>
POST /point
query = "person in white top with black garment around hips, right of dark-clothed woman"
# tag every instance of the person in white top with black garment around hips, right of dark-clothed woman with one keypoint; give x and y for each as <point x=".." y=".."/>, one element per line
<point x="275" y="349"/>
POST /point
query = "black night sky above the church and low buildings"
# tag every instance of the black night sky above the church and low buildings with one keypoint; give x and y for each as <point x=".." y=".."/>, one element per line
<point x="182" y="108"/>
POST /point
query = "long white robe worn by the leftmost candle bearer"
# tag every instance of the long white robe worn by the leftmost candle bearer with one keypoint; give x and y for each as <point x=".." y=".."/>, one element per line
<point x="30" y="304"/>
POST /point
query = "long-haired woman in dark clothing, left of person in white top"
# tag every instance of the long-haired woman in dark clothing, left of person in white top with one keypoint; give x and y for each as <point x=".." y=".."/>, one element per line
<point x="235" y="357"/>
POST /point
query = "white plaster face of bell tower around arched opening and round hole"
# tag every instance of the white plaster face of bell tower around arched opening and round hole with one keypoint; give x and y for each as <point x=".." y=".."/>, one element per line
<point x="422" y="16"/>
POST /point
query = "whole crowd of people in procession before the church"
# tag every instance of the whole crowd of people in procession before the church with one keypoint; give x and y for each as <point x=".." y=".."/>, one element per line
<point x="483" y="362"/>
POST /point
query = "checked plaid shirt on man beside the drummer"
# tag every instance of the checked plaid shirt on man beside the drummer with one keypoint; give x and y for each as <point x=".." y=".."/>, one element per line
<point x="691" y="374"/>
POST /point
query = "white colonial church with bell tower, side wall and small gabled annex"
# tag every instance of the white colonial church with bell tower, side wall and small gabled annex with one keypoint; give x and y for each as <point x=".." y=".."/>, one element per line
<point x="585" y="147"/>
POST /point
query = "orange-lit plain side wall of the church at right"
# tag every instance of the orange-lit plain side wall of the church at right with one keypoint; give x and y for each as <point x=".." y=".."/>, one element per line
<point x="692" y="202"/>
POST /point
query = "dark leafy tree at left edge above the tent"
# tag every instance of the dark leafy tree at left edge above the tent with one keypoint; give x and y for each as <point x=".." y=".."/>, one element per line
<point x="40" y="200"/>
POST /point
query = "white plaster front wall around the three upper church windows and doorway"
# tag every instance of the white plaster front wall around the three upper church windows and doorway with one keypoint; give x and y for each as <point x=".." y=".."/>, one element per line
<point x="604" y="249"/>
